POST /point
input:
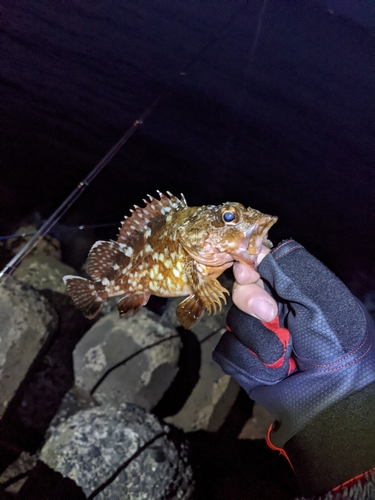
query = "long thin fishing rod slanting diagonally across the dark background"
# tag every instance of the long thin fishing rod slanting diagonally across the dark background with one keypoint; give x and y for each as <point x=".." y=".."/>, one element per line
<point x="76" y="193"/>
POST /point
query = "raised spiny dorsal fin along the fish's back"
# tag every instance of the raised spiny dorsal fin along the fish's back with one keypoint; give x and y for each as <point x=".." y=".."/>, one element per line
<point x="144" y="218"/>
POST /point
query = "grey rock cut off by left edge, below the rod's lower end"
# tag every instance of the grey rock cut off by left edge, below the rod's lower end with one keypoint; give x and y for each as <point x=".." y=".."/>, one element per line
<point x="27" y="320"/>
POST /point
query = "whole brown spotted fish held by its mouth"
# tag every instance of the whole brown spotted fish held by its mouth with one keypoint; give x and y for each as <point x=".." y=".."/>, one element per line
<point x="169" y="249"/>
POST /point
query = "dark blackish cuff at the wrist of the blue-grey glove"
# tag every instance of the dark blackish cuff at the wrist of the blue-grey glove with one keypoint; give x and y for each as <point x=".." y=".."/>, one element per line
<point x="338" y="444"/>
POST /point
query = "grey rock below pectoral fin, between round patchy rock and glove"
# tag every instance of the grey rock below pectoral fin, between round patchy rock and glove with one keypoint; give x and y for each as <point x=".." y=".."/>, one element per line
<point x="214" y="394"/>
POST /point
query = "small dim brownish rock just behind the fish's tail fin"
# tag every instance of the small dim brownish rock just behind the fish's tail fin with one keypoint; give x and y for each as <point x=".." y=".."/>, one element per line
<point x="43" y="273"/>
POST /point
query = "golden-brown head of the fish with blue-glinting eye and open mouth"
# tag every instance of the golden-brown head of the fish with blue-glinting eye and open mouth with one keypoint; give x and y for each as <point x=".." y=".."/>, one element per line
<point x="215" y="235"/>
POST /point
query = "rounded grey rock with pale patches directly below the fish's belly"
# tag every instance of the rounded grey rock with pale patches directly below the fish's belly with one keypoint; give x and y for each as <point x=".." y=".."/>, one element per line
<point x="106" y="347"/>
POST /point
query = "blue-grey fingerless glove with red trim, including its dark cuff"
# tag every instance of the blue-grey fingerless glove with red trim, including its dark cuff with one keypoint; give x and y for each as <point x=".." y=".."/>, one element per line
<point x="312" y="368"/>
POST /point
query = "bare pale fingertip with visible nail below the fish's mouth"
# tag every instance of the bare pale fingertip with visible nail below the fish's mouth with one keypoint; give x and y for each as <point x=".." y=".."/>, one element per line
<point x="254" y="300"/>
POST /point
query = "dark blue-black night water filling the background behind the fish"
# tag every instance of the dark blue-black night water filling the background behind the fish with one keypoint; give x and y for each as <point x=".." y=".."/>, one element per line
<point x="275" y="110"/>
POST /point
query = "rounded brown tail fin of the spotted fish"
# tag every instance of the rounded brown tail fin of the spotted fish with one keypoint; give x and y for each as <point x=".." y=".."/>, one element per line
<point x="88" y="296"/>
